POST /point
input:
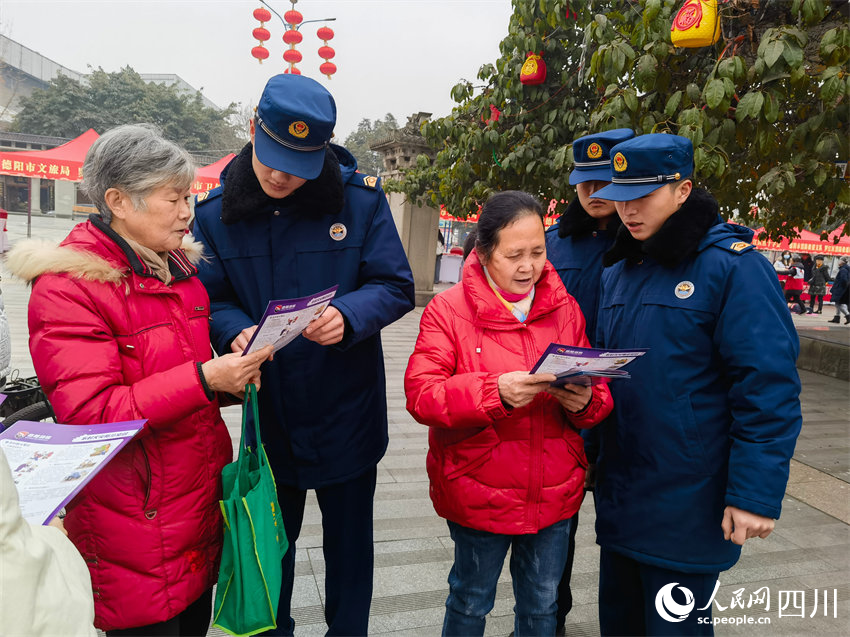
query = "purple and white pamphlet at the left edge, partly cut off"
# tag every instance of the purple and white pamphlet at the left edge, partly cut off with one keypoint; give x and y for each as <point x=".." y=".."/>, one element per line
<point x="51" y="463"/>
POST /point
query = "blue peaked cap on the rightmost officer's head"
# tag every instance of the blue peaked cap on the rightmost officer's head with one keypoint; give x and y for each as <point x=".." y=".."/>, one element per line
<point x="642" y="165"/>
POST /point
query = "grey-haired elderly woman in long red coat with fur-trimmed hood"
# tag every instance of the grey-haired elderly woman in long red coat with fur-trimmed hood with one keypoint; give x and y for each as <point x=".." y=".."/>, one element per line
<point x="119" y="330"/>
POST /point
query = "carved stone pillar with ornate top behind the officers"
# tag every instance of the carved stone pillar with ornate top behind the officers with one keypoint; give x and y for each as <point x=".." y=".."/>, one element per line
<point x="417" y="225"/>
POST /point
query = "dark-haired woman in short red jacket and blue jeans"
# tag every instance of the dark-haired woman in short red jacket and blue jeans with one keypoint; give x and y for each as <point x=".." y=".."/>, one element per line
<point x="505" y="459"/>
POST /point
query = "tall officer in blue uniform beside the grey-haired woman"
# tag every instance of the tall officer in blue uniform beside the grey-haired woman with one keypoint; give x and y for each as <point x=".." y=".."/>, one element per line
<point x="293" y="217"/>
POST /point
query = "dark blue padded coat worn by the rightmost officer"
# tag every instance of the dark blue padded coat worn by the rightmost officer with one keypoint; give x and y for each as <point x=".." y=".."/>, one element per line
<point x="711" y="414"/>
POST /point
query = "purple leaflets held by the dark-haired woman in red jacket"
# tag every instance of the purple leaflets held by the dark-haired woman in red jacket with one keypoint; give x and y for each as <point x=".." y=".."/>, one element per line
<point x="584" y="365"/>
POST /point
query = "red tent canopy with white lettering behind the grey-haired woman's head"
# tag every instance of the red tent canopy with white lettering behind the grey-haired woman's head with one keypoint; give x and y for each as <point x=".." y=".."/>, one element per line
<point x="64" y="162"/>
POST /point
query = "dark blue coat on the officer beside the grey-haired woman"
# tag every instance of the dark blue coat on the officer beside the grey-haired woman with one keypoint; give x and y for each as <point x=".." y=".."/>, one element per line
<point x="323" y="411"/>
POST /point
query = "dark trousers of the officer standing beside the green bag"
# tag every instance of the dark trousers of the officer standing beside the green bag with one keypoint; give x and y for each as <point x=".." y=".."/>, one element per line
<point x="347" y="548"/>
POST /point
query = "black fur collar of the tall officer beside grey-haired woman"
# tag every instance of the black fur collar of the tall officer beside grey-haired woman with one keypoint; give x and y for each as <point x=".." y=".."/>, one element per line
<point x="243" y="198"/>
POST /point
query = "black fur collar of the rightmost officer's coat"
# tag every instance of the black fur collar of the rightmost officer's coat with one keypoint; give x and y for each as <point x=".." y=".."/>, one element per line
<point x="677" y="239"/>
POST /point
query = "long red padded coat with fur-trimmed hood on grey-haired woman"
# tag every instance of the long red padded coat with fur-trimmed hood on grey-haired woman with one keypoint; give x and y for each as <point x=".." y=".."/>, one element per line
<point x="111" y="343"/>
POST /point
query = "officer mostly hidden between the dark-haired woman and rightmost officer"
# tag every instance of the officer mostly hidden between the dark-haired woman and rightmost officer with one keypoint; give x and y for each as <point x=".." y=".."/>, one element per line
<point x="575" y="247"/>
